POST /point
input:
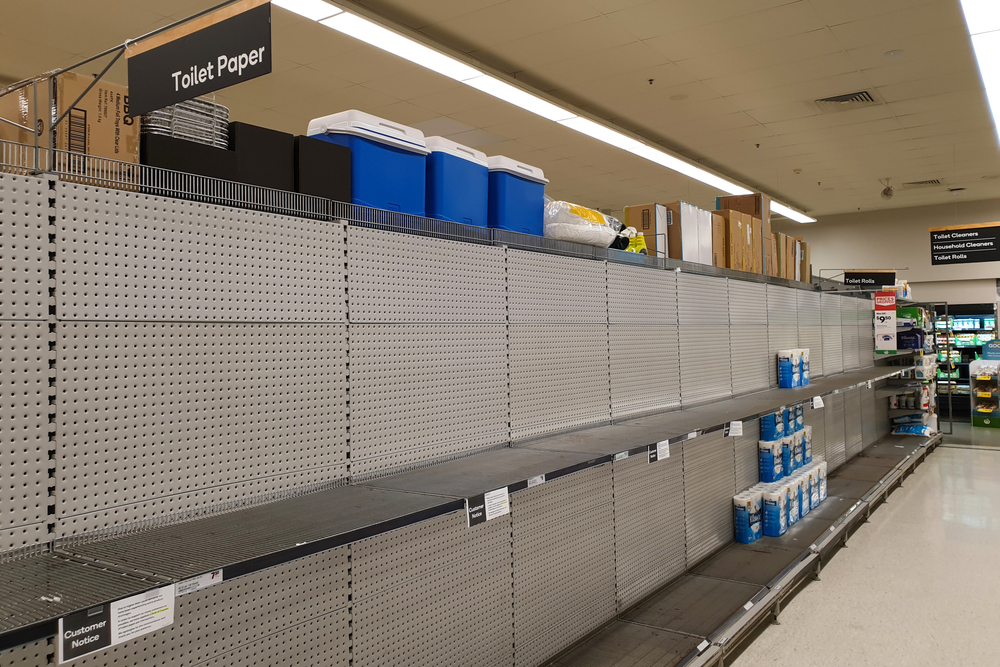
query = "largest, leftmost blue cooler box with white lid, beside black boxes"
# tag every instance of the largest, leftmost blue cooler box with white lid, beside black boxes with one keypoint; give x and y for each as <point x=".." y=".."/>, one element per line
<point x="388" y="160"/>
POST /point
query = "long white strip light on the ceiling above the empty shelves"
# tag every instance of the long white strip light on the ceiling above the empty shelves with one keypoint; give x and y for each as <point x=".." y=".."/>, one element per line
<point x="388" y="40"/>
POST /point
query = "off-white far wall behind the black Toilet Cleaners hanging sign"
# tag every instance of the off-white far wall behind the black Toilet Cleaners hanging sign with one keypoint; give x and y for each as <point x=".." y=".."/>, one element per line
<point x="899" y="238"/>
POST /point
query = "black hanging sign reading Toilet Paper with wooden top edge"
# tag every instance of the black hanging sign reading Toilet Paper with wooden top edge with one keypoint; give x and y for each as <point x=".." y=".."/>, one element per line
<point x="209" y="54"/>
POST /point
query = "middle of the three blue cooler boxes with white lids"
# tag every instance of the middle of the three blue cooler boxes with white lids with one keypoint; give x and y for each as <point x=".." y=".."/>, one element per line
<point x="458" y="182"/>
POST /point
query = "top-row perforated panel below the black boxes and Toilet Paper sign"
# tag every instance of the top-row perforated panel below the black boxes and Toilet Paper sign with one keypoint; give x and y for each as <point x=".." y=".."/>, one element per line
<point x="125" y="256"/>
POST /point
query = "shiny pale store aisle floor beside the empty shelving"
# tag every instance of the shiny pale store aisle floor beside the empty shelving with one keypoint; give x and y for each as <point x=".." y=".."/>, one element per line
<point x="917" y="586"/>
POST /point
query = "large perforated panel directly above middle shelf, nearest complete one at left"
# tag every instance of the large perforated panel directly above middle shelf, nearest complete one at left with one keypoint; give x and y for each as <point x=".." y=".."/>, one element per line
<point x="154" y="417"/>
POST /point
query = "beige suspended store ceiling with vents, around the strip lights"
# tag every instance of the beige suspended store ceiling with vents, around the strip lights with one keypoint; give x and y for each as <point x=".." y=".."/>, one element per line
<point x="729" y="83"/>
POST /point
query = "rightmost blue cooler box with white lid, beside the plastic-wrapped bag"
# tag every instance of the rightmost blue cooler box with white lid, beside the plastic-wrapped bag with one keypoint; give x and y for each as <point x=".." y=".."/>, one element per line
<point x="517" y="196"/>
